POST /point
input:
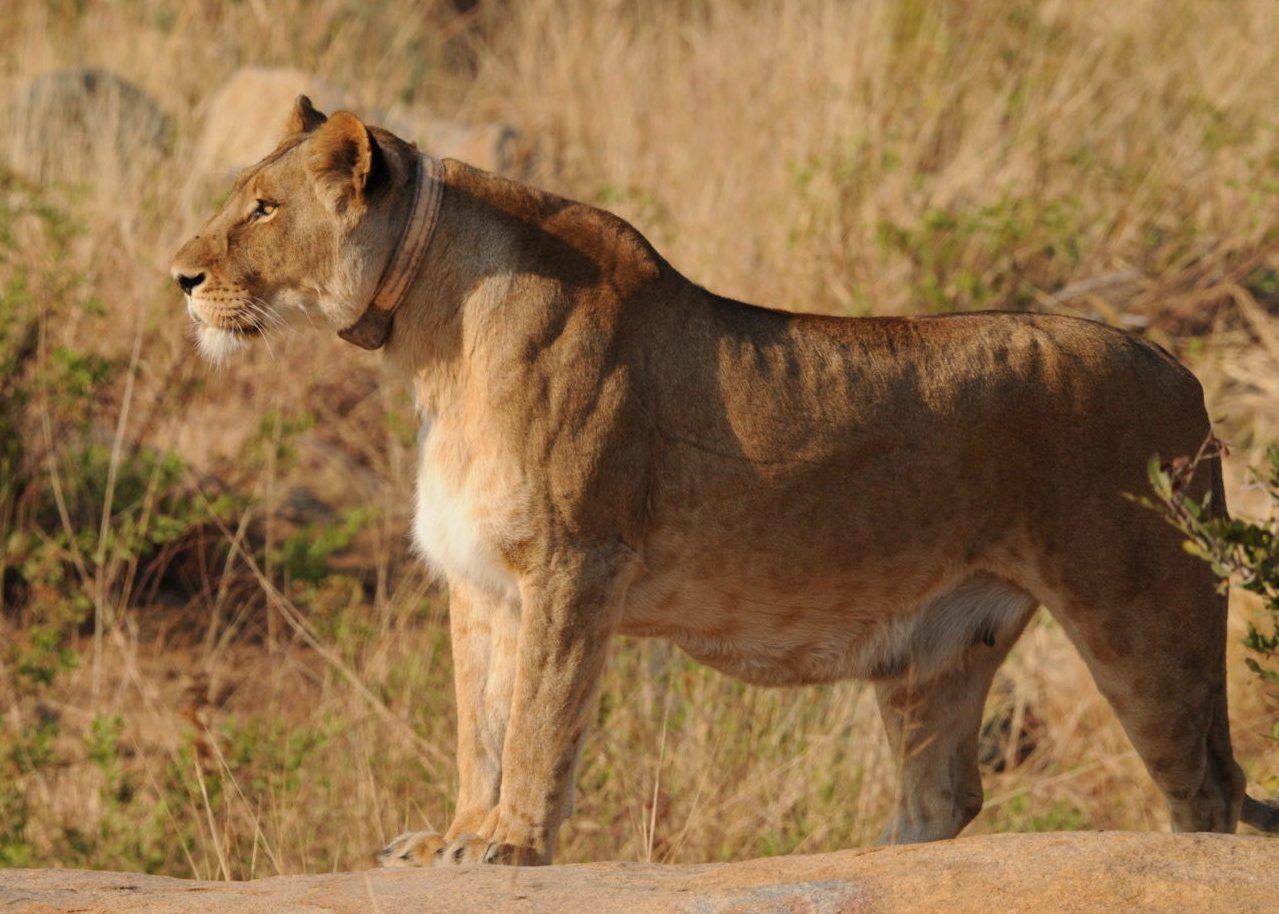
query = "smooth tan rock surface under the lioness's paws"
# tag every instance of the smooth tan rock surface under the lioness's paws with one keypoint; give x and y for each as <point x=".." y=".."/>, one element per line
<point x="1063" y="874"/>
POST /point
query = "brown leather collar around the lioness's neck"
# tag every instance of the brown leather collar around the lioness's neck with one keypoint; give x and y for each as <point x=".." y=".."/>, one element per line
<point x="374" y="327"/>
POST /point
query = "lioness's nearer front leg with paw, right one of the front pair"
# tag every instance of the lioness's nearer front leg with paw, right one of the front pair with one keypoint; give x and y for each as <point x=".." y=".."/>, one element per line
<point x="569" y="614"/>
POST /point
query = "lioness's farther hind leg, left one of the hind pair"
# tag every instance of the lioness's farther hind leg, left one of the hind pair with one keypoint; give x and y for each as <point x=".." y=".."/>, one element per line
<point x="933" y="708"/>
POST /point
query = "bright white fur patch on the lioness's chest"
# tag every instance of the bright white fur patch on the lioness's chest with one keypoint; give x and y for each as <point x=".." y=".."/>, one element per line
<point x="467" y="509"/>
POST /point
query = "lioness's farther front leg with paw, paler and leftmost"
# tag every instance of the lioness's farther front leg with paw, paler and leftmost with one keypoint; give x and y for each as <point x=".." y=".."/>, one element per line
<point x="484" y="630"/>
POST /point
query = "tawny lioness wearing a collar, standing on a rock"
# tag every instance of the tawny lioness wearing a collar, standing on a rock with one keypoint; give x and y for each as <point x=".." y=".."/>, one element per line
<point x="789" y="498"/>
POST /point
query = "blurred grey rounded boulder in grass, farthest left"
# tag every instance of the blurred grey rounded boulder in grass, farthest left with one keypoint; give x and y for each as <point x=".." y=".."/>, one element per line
<point x="84" y="126"/>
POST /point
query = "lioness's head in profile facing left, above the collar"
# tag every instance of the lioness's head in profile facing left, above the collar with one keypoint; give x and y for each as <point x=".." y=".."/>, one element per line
<point x="306" y="231"/>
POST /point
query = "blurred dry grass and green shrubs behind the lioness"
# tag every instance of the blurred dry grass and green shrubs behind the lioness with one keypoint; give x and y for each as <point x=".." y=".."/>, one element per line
<point x="217" y="656"/>
